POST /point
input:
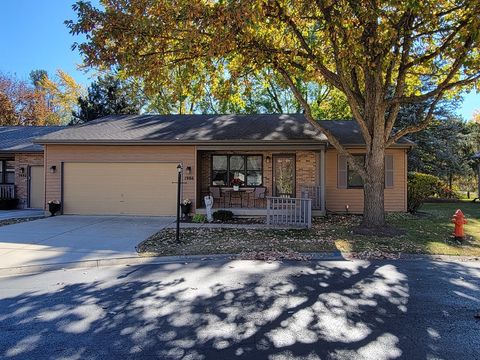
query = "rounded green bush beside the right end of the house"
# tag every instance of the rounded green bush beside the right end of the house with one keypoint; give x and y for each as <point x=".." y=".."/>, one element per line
<point x="420" y="187"/>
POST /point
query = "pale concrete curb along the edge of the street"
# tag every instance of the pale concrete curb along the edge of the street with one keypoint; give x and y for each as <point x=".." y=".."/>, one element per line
<point x="159" y="260"/>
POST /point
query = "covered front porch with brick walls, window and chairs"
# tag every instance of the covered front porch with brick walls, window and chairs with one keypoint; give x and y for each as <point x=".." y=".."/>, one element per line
<point x="263" y="175"/>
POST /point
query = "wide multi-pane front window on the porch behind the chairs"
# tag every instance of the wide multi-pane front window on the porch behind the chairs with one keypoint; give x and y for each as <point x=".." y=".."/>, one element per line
<point x="247" y="168"/>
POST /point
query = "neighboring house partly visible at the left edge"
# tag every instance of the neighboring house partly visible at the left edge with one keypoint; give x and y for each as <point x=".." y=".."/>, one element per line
<point x="21" y="164"/>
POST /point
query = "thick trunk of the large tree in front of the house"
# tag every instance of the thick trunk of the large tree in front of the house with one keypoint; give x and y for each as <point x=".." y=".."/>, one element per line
<point x="373" y="190"/>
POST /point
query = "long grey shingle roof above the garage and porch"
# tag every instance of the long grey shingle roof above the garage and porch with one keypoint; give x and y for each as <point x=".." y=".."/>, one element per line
<point x="204" y="128"/>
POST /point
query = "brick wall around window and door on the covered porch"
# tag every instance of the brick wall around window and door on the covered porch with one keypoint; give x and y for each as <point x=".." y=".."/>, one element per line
<point x="306" y="170"/>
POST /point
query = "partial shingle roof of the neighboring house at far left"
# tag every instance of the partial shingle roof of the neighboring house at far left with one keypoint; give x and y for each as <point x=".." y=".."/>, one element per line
<point x="20" y="138"/>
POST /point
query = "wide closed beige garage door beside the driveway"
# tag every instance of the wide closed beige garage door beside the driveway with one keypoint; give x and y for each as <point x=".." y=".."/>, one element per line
<point x="119" y="188"/>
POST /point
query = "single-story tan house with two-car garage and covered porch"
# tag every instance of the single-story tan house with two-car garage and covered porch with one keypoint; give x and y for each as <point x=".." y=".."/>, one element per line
<point x="128" y="164"/>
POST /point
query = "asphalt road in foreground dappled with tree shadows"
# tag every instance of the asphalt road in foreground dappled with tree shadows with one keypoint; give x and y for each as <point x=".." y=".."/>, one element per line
<point x="245" y="310"/>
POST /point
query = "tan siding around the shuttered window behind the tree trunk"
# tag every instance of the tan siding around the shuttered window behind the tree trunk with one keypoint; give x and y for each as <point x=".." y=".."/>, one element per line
<point x="337" y="199"/>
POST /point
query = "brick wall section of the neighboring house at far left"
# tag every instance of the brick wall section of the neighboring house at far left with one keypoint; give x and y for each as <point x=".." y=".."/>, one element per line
<point x="24" y="161"/>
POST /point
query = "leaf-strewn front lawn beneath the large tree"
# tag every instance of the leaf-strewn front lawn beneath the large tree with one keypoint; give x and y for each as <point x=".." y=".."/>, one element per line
<point x="426" y="233"/>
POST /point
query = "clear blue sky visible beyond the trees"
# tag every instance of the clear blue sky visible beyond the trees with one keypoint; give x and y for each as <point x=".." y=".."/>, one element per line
<point x="33" y="36"/>
